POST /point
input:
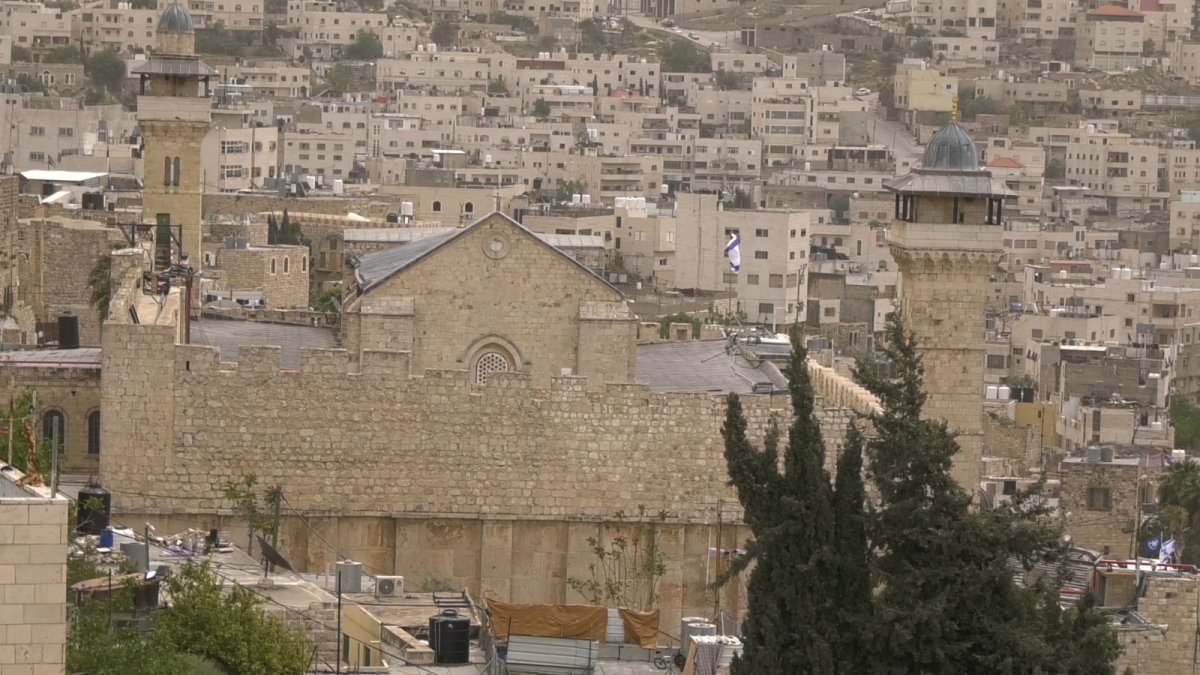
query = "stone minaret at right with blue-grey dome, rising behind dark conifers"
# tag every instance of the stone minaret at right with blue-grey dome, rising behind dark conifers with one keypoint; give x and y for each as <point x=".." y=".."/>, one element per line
<point x="946" y="240"/>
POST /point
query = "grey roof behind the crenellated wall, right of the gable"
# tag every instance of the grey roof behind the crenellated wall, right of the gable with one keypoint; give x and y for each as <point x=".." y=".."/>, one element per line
<point x="703" y="367"/>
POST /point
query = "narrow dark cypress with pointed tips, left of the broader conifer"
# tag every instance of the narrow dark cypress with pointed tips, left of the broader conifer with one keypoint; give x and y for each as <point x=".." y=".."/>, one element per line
<point x="788" y="505"/>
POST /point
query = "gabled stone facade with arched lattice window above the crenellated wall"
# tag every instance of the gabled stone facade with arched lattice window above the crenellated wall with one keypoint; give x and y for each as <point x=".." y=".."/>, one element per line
<point x="524" y="301"/>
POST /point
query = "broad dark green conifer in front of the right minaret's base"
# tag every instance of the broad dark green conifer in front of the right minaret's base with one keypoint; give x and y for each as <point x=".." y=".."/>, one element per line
<point x="939" y="561"/>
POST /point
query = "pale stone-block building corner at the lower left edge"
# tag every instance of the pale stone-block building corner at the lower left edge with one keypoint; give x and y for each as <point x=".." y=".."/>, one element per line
<point x="33" y="580"/>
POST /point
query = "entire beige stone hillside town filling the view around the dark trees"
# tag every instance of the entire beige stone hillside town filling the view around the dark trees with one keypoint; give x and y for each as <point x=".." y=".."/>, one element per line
<point x="410" y="316"/>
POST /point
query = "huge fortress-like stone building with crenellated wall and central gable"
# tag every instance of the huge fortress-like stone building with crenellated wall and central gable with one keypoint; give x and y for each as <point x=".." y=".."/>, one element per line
<point x="491" y="471"/>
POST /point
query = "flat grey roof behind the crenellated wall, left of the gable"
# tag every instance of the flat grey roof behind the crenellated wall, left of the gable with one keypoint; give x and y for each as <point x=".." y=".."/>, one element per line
<point x="231" y="336"/>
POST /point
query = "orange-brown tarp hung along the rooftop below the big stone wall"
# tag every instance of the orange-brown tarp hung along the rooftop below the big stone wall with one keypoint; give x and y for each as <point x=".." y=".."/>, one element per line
<point x="577" y="622"/>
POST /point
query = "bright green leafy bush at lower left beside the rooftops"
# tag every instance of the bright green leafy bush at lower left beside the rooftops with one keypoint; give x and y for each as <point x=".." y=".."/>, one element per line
<point x="229" y="629"/>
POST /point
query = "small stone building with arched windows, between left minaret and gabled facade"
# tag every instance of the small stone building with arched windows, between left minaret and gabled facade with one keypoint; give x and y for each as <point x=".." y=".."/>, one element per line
<point x="281" y="273"/>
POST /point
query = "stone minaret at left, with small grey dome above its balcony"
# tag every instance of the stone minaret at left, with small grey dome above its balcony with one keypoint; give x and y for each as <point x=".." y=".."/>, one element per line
<point x="175" y="114"/>
